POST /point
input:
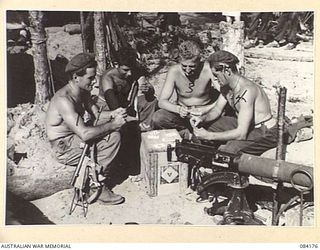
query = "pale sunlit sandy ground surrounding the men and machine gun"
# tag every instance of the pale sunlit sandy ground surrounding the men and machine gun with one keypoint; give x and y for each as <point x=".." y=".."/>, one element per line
<point x="296" y="76"/>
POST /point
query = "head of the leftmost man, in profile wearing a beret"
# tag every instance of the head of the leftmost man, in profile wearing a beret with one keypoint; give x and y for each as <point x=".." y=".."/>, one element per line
<point x="81" y="69"/>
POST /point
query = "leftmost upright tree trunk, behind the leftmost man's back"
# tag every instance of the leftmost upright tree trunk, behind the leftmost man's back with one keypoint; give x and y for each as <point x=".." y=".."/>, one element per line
<point x="40" y="59"/>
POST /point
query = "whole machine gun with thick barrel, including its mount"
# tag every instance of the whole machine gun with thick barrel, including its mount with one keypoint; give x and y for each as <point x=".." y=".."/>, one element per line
<point x="233" y="170"/>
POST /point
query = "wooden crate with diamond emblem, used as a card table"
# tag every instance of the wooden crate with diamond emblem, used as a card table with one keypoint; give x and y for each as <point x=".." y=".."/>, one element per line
<point x="160" y="176"/>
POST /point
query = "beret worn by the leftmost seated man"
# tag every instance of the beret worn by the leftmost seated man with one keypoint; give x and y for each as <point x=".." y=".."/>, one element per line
<point x="80" y="62"/>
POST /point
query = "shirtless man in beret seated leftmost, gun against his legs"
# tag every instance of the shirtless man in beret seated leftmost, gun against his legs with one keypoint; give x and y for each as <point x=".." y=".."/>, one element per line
<point x="66" y="128"/>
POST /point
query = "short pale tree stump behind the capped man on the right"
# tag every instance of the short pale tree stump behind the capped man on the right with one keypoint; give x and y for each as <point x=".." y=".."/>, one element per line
<point x="233" y="38"/>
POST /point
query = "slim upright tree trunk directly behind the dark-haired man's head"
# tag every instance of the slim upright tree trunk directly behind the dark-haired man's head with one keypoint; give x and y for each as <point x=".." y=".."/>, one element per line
<point x="100" y="42"/>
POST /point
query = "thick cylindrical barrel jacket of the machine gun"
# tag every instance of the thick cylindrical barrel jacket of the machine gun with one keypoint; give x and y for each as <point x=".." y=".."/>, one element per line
<point x="276" y="169"/>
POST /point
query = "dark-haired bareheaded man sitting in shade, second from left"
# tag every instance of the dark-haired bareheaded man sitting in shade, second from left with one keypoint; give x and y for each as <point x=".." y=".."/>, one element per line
<point x="117" y="88"/>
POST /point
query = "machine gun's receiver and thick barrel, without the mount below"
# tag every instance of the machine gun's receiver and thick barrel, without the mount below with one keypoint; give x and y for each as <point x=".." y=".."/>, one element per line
<point x="278" y="170"/>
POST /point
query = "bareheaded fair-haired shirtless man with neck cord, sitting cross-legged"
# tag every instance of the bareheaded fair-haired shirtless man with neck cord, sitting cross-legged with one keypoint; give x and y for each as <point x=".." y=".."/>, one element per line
<point x="192" y="81"/>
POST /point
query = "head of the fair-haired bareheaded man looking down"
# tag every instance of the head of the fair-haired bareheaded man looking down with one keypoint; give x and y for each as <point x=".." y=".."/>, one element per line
<point x="189" y="52"/>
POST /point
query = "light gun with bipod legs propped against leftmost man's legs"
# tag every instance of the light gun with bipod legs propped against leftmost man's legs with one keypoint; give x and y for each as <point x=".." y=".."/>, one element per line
<point x="86" y="179"/>
